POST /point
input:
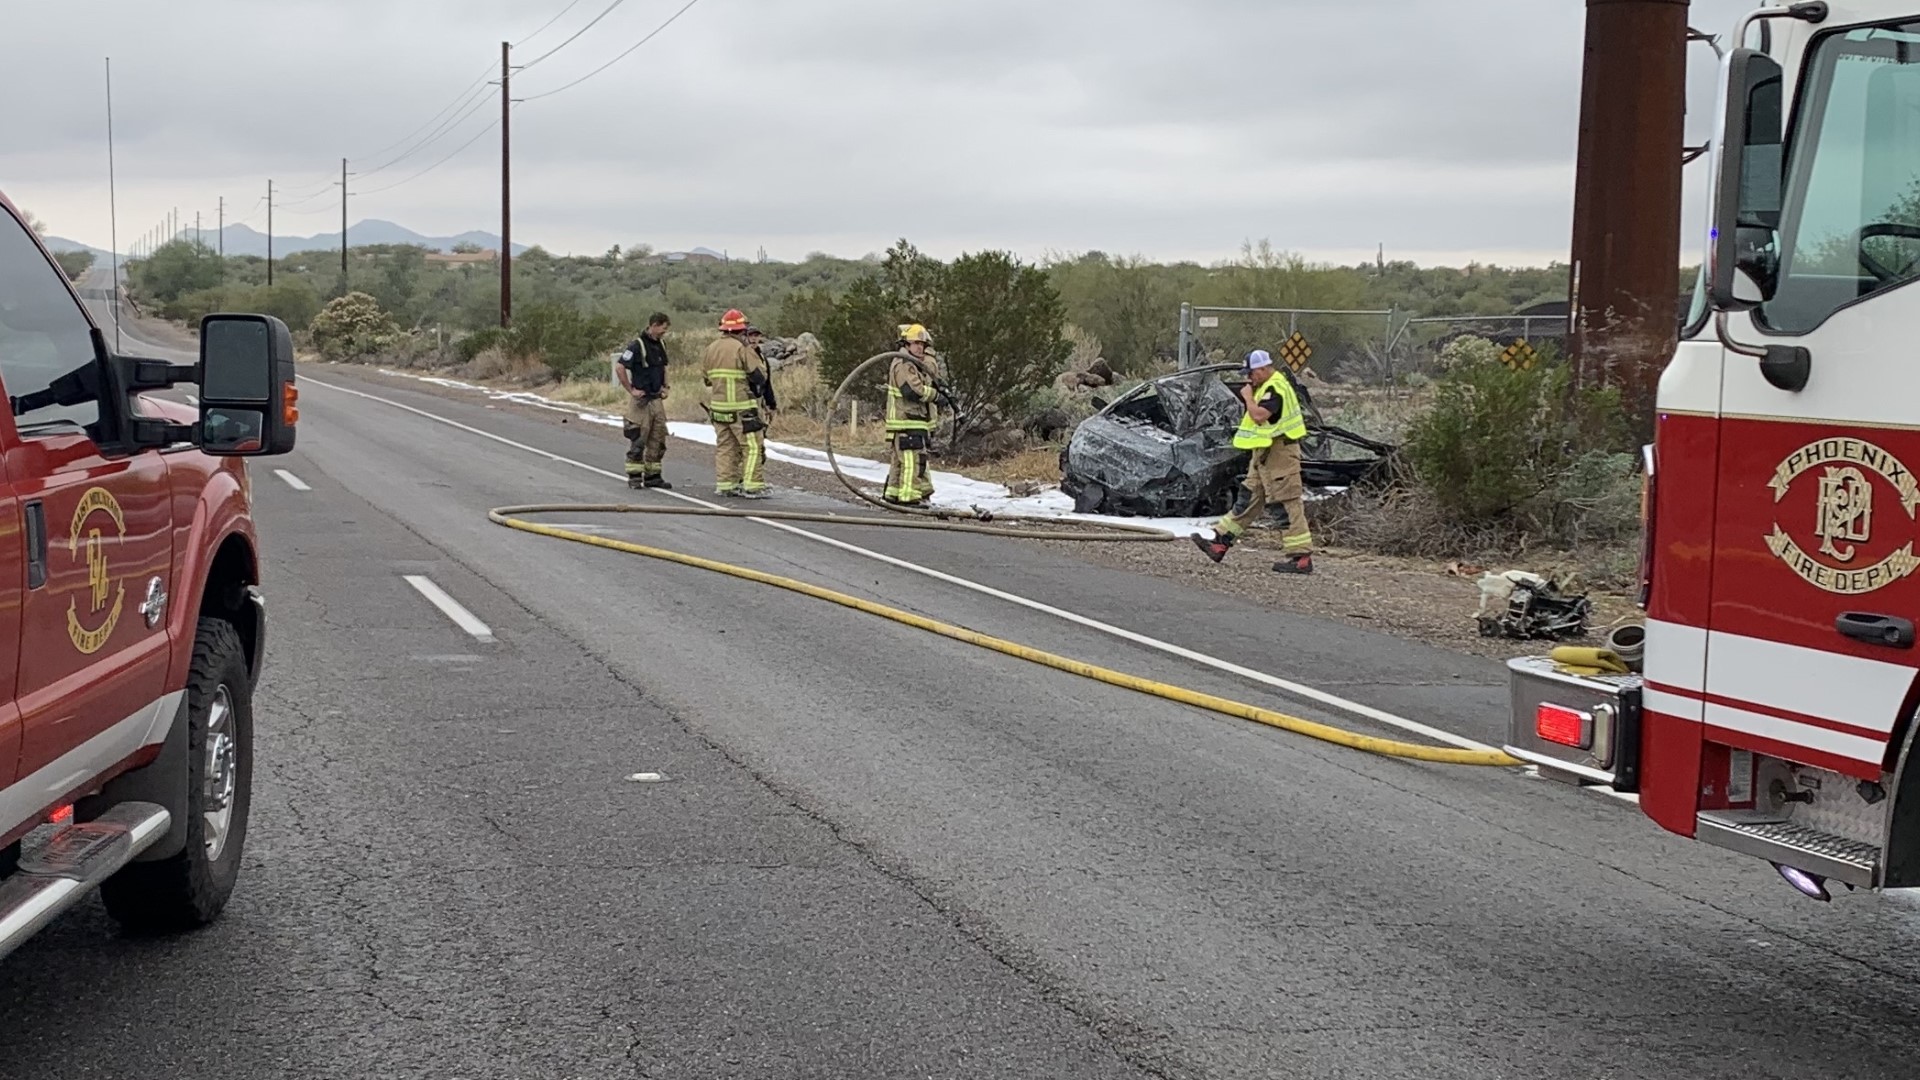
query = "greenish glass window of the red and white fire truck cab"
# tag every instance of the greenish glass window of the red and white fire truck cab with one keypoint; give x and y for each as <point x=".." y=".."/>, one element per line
<point x="1852" y="218"/>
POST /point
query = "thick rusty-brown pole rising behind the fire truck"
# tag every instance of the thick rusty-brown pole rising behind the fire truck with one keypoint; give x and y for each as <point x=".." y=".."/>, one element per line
<point x="1625" y="276"/>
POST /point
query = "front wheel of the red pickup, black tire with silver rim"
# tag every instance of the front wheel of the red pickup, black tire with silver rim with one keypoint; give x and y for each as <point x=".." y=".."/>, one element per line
<point x="193" y="887"/>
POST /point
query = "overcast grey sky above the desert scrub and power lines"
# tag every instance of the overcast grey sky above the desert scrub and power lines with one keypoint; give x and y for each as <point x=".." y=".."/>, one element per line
<point x="1161" y="128"/>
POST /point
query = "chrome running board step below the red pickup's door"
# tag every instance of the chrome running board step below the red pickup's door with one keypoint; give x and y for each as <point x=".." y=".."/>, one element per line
<point x="59" y="868"/>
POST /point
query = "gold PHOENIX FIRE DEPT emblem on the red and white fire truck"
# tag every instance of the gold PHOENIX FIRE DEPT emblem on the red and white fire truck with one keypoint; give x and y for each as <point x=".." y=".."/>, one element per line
<point x="1844" y="516"/>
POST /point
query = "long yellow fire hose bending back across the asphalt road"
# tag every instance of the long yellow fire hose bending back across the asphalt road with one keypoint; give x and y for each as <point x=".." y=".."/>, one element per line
<point x="510" y="516"/>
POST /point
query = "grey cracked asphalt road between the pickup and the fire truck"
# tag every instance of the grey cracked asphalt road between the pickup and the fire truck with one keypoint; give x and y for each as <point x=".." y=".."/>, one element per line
<point x="884" y="854"/>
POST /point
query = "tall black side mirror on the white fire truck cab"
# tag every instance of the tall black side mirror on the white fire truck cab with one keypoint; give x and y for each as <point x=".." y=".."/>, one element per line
<point x="1752" y="168"/>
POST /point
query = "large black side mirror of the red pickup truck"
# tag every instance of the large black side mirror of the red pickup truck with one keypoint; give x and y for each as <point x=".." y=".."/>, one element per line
<point x="249" y="403"/>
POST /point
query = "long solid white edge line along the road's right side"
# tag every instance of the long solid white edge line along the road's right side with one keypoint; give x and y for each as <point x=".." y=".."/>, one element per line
<point x="1285" y="685"/>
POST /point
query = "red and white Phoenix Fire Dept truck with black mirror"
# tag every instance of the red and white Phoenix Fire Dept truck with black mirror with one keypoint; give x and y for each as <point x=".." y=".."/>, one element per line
<point x="1775" y="708"/>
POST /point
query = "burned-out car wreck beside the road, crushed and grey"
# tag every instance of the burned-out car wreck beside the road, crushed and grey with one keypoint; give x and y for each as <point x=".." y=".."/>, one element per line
<point x="1164" y="449"/>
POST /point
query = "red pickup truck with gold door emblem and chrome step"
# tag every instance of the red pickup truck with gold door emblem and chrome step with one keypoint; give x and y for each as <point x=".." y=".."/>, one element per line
<point x="132" y="622"/>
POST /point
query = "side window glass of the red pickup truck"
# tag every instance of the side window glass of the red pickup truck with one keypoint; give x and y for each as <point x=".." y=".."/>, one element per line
<point x="43" y="333"/>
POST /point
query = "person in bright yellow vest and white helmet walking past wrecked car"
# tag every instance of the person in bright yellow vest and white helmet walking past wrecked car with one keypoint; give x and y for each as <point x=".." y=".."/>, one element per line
<point x="1272" y="428"/>
